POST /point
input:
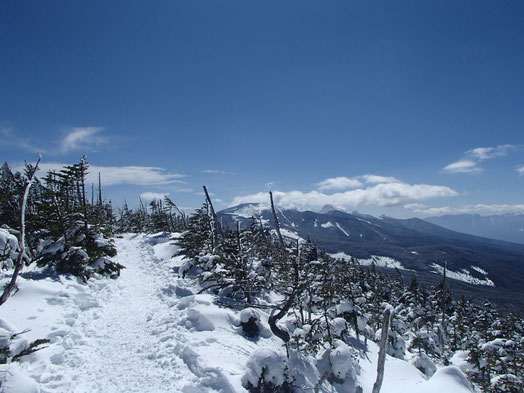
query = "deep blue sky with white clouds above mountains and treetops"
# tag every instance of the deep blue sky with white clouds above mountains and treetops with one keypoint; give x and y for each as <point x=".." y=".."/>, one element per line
<point x="404" y="108"/>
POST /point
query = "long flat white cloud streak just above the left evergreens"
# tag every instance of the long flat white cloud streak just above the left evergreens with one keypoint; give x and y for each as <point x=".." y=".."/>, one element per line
<point x="114" y="175"/>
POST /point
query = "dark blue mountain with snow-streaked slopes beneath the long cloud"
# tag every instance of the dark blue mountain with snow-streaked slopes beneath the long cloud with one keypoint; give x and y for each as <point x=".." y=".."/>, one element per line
<point x="477" y="266"/>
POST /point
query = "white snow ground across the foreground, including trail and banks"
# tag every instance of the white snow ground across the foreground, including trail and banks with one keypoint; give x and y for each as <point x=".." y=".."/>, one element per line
<point x="148" y="331"/>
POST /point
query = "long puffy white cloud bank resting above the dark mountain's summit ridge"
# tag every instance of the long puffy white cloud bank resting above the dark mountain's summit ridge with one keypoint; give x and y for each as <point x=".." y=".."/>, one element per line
<point x="386" y="194"/>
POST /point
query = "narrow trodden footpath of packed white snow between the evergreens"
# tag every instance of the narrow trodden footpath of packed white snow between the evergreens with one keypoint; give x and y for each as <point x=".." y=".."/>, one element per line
<point x="124" y="334"/>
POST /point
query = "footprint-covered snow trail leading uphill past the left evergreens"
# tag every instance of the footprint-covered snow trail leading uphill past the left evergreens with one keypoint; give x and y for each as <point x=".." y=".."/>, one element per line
<point x="127" y="342"/>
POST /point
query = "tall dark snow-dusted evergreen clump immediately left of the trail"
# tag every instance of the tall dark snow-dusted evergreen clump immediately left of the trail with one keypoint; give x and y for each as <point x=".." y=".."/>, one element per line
<point x="75" y="236"/>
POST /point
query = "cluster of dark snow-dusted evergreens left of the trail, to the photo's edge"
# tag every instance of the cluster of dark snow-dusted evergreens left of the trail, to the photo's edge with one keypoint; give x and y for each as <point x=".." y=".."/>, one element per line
<point x="64" y="230"/>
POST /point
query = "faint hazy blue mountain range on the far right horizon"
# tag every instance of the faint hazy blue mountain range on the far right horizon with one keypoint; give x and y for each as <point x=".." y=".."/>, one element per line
<point x="508" y="227"/>
